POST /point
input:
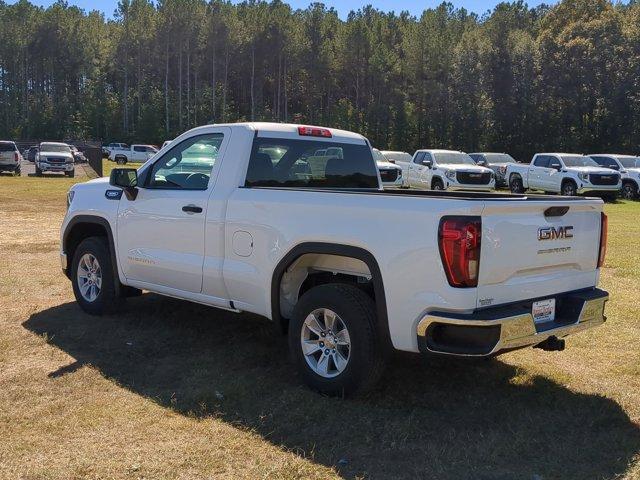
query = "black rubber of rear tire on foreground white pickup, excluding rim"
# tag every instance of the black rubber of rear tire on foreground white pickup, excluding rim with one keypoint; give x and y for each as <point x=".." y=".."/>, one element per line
<point x="357" y="311"/>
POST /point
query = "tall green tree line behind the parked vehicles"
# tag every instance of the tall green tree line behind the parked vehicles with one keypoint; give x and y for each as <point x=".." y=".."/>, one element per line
<point x="517" y="79"/>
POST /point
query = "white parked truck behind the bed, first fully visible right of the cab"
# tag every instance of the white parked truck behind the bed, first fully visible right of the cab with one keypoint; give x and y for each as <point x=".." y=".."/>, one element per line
<point x="448" y="170"/>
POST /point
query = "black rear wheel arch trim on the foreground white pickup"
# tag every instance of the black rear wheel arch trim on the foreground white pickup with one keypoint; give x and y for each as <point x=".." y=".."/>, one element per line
<point x="347" y="251"/>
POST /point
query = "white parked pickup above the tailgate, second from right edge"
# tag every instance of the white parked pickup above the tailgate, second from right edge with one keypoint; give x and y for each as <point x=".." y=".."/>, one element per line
<point x="565" y="173"/>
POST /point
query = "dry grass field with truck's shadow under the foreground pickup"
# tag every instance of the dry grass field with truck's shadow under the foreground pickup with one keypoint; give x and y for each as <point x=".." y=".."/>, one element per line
<point x="172" y="390"/>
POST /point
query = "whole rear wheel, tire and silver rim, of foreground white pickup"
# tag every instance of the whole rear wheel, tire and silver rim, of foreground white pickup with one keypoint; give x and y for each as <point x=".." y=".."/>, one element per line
<point x="333" y="340"/>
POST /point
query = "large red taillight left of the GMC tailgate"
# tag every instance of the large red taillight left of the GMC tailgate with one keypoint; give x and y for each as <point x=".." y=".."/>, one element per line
<point x="459" y="240"/>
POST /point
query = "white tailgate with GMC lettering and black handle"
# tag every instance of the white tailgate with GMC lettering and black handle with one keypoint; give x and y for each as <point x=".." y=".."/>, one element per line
<point x="528" y="254"/>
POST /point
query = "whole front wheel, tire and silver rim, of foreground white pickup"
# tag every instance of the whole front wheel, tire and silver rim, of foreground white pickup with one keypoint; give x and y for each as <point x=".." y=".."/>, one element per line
<point x="92" y="277"/>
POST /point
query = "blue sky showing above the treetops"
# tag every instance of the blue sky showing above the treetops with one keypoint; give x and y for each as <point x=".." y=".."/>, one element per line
<point x="342" y="6"/>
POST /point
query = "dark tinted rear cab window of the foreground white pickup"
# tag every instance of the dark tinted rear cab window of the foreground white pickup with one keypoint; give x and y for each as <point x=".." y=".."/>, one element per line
<point x="277" y="162"/>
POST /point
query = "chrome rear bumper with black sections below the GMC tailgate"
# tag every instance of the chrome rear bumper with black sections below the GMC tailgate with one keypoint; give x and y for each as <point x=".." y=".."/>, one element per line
<point x="491" y="331"/>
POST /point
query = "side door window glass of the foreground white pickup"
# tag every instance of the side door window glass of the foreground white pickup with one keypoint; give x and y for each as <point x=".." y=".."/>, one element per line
<point x="187" y="165"/>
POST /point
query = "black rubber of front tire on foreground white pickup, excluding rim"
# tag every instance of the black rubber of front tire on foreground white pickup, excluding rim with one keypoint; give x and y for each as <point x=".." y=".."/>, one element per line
<point x="108" y="299"/>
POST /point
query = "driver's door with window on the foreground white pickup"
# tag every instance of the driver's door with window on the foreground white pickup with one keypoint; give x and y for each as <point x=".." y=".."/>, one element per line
<point x="161" y="234"/>
